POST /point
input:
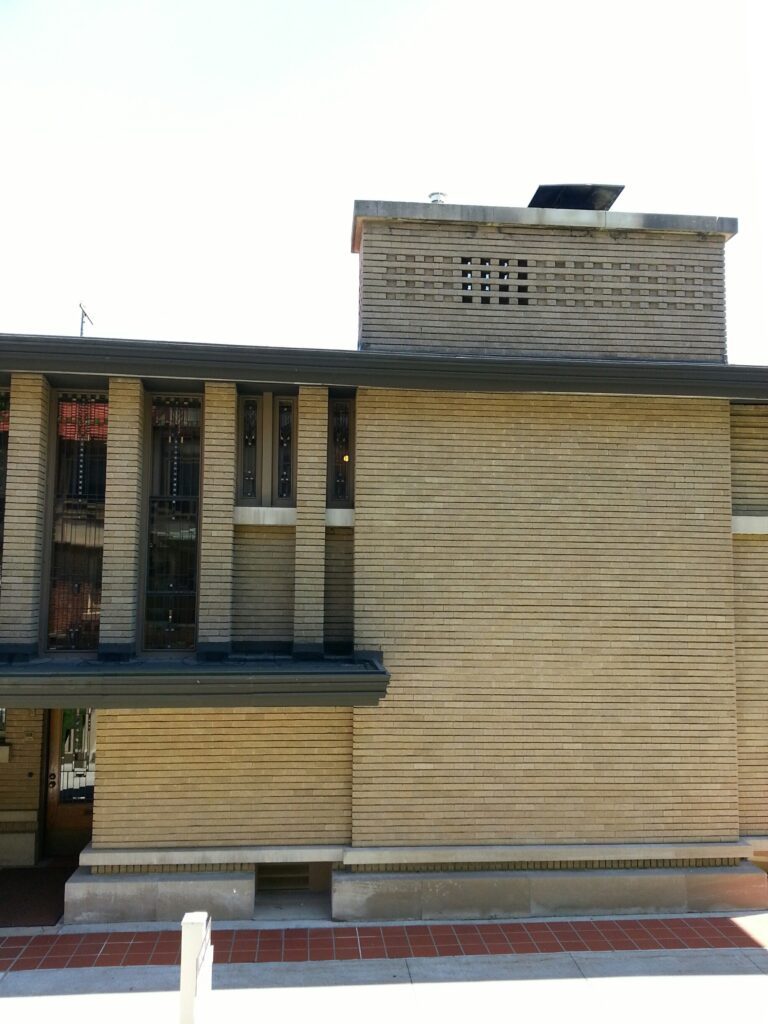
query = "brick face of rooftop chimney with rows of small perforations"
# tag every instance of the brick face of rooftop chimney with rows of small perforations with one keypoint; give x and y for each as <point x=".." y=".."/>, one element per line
<point x="595" y="293"/>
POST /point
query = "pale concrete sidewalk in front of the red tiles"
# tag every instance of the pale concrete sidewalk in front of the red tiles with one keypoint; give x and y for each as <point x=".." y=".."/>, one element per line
<point x="708" y="986"/>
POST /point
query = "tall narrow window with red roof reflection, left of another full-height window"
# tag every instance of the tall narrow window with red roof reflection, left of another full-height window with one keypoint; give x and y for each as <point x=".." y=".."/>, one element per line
<point x="75" y="604"/>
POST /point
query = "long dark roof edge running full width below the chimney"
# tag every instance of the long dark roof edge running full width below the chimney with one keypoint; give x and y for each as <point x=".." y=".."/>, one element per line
<point x="350" y="368"/>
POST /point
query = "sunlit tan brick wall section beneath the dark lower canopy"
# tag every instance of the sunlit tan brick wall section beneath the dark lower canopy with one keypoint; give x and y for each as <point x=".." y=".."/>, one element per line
<point x="235" y="778"/>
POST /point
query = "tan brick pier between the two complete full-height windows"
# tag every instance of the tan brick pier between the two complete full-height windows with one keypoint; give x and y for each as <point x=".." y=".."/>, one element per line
<point x="123" y="497"/>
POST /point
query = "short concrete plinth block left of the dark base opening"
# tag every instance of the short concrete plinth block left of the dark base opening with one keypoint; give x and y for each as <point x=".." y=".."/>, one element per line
<point x="158" y="897"/>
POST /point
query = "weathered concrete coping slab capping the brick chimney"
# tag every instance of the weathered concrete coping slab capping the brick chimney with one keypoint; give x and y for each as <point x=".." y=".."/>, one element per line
<point x="511" y="217"/>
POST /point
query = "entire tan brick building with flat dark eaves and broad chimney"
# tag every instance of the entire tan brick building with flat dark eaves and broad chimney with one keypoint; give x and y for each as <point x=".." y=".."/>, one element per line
<point x="471" y="622"/>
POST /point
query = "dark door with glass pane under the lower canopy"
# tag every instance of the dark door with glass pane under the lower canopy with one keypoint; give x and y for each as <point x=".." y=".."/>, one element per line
<point x="72" y="767"/>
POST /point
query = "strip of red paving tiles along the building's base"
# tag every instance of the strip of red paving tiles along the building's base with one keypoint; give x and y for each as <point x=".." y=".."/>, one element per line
<point x="254" y="946"/>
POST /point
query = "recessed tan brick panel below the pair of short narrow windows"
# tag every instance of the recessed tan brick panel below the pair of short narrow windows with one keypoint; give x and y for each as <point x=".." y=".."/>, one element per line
<point x="264" y="585"/>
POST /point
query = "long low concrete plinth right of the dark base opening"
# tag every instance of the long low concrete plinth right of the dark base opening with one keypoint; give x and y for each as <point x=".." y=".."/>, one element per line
<point x="474" y="895"/>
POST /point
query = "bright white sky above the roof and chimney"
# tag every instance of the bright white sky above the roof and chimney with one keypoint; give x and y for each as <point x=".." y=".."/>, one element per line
<point x="188" y="169"/>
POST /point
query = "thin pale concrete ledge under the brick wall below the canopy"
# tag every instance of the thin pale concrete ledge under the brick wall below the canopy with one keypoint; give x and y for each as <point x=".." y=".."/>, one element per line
<point x="116" y="857"/>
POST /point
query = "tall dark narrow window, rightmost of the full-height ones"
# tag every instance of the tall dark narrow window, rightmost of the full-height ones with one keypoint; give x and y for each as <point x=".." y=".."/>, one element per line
<point x="173" y="557"/>
